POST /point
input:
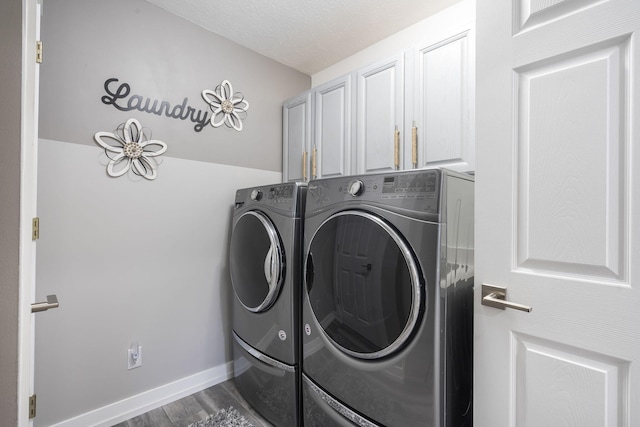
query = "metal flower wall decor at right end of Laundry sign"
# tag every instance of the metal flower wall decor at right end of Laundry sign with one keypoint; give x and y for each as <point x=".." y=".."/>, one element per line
<point x="227" y="107"/>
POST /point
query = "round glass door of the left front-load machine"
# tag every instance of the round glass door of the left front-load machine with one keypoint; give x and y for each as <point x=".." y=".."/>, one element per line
<point x="257" y="261"/>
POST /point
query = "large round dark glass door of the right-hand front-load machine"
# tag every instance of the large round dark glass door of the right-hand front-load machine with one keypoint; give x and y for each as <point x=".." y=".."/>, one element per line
<point x="363" y="284"/>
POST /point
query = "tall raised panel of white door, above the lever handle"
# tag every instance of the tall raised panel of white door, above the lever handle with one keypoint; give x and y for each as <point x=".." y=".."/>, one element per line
<point x="571" y="220"/>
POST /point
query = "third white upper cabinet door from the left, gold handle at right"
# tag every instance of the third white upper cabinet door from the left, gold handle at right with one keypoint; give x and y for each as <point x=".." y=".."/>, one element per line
<point x="380" y="112"/>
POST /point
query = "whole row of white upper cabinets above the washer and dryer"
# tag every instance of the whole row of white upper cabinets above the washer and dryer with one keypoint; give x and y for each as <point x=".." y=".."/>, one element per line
<point x="413" y="110"/>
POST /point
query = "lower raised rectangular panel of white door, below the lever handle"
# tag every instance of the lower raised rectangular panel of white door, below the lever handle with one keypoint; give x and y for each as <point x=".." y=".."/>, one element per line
<point x="546" y="371"/>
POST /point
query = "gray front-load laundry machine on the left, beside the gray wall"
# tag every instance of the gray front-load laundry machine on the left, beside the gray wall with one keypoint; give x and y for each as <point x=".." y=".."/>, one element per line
<point x="265" y="267"/>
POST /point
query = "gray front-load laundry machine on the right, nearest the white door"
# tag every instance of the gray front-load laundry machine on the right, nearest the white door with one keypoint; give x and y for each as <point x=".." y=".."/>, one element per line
<point x="387" y="308"/>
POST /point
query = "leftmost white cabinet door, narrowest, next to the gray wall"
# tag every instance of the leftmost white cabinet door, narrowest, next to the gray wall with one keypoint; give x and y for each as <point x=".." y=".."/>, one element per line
<point x="296" y="137"/>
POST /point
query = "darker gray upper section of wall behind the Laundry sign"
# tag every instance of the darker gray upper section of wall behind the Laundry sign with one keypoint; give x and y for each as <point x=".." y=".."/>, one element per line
<point x="162" y="58"/>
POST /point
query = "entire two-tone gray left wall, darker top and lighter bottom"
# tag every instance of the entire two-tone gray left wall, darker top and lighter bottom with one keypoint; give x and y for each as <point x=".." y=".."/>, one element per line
<point x="132" y="259"/>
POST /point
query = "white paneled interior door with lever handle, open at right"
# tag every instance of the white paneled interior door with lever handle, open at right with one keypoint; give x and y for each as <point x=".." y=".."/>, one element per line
<point x="558" y="222"/>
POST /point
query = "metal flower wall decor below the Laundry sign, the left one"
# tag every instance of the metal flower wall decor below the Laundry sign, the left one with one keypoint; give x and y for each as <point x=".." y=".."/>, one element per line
<point x="130" y="148"/>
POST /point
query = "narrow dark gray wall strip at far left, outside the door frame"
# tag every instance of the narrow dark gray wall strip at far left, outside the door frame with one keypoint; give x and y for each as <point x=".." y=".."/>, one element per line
<point x="10" y="91"/>
